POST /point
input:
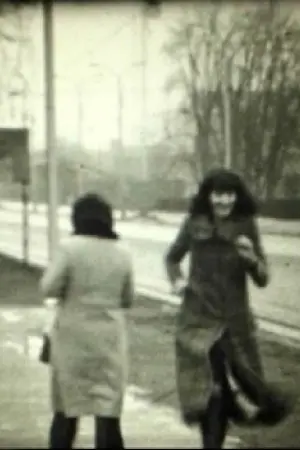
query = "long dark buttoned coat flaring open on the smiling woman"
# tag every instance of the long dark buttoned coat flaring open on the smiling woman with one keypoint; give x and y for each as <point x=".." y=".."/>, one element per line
<point x="216" y="309"/>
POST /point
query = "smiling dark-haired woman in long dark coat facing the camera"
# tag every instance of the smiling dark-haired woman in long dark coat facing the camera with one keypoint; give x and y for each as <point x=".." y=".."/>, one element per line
<point x="217" y="357"/>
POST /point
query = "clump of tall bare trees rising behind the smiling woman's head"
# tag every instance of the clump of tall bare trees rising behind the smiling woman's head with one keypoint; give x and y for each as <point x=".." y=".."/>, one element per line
<point x="239" y="84"/>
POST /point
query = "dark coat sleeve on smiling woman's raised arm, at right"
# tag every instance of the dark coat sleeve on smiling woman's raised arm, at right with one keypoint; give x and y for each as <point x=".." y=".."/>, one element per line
<point x="260" y="271"/>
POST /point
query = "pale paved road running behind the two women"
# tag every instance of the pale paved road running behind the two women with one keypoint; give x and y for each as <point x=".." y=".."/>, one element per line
<point x="148" y="245"/>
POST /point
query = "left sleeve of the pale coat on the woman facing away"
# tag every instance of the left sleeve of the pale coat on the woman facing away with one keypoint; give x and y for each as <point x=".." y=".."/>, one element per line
<point x="54" y="279"/>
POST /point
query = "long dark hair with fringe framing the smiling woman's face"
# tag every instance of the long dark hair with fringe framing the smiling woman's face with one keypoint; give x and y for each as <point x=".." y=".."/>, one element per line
<point x="223" y="180"/>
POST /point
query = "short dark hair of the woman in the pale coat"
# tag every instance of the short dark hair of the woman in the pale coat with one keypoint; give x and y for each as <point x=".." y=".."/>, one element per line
<point x="92" y="216"/>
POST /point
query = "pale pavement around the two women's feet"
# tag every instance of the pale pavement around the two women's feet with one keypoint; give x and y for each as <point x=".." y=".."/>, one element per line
<point x="24" y="391"/>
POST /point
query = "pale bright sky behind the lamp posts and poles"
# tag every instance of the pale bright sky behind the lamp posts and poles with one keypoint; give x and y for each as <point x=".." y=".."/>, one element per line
<point x="95" y="46"/>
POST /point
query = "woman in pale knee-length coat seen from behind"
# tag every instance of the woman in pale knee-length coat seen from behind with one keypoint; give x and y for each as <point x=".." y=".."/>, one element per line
<point x="92" y="278"/>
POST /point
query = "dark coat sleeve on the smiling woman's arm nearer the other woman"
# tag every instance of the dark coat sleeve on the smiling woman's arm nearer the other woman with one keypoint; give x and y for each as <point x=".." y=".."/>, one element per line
<point x="177" y="252"/>
